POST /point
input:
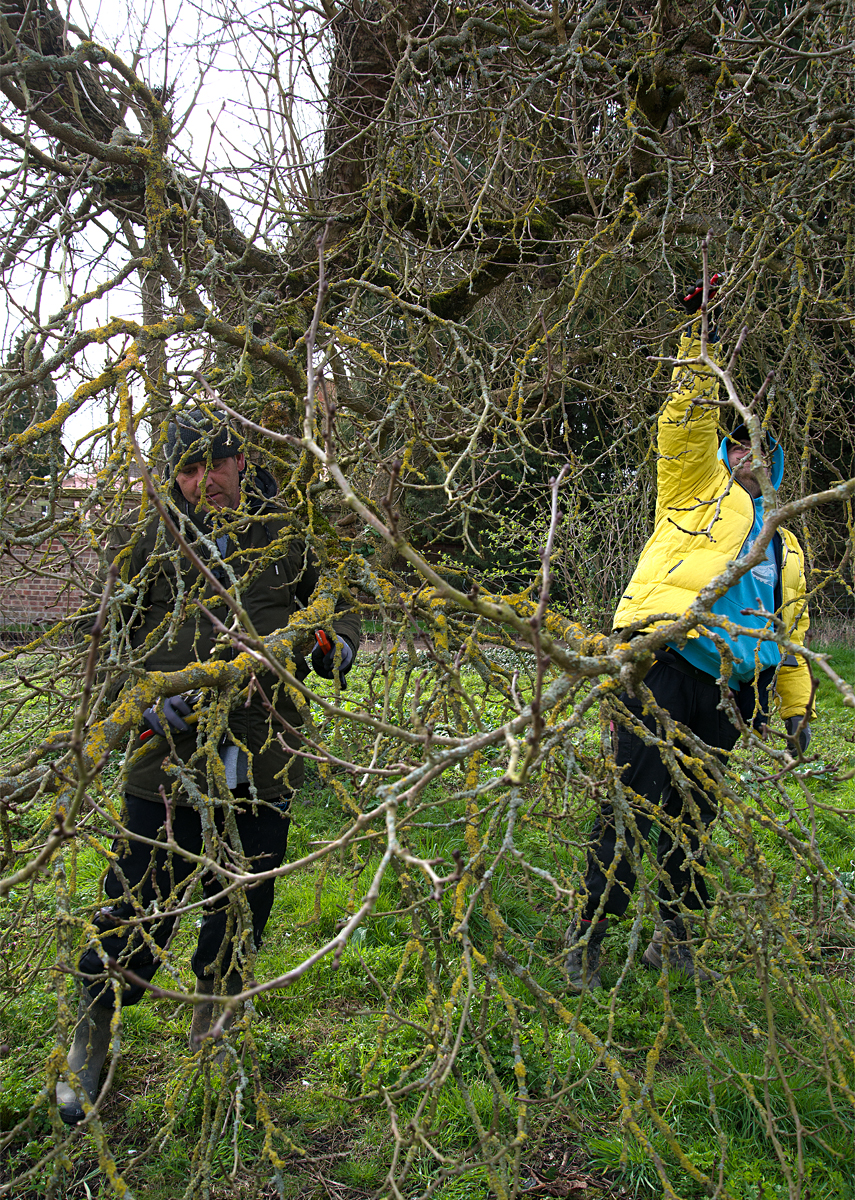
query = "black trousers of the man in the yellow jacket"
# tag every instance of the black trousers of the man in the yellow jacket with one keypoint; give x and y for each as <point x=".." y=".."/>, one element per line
<point x="691" y="698"/>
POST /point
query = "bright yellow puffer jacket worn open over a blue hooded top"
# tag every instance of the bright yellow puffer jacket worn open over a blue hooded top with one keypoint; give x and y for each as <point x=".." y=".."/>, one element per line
<point x="702" y="526"/>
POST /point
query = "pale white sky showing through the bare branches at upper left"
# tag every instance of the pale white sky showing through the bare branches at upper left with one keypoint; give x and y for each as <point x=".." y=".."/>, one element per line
<point x="228" y="110"/>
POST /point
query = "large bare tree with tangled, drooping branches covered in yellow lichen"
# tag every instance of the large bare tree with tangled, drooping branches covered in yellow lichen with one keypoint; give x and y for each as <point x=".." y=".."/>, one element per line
<point x="427" y="259"/>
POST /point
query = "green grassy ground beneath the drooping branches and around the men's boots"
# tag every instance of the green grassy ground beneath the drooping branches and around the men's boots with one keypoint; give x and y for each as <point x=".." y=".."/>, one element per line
<point x="314" y="1076"/>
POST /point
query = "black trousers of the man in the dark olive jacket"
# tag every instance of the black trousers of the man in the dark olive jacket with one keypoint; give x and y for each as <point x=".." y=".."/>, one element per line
<point x="157" y="877"/>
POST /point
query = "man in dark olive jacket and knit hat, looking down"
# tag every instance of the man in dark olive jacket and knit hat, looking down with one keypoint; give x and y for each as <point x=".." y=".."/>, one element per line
<point x="228" y="785"/>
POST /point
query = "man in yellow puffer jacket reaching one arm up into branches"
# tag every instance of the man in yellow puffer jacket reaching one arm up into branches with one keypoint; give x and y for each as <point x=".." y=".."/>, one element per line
<point x="709" y="514"/>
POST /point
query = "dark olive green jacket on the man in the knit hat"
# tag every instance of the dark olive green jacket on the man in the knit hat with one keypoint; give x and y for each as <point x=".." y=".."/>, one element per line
<point x="272" y="572"/>
